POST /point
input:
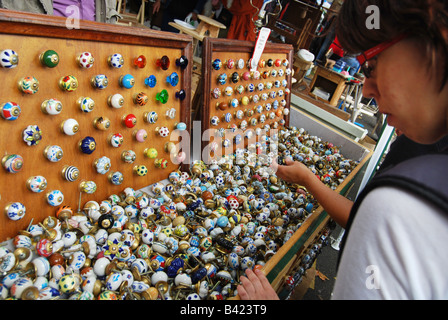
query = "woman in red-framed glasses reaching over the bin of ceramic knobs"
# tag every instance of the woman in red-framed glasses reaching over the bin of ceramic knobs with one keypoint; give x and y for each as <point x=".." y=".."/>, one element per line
<point x="394" y="234"/>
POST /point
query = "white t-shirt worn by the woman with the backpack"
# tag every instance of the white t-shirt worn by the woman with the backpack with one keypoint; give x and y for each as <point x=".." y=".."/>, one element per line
<point x="396" y="249"/>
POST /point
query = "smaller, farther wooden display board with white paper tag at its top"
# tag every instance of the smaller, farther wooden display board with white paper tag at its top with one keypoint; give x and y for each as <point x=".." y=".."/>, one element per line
<point x="272" y="107"/>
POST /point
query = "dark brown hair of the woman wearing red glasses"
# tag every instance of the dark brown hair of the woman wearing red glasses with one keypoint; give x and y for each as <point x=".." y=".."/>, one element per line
<point x="426" y="21"/>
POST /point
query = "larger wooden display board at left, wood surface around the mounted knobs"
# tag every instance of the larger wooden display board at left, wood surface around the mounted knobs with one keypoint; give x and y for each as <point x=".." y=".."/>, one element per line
<point x="29" y="35"/>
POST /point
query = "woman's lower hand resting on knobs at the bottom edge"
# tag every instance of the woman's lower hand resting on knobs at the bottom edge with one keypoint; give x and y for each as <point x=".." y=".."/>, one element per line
<point x="256" y="287"/>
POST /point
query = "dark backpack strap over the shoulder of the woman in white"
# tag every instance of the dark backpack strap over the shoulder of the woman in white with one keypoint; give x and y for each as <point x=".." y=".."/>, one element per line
<point x="425" y="176"/>
